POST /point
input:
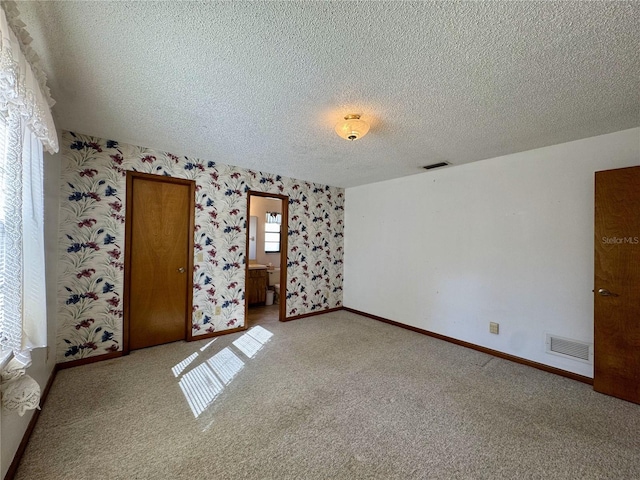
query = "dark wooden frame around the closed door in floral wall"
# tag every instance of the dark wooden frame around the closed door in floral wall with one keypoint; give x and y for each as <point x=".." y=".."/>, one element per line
<point x="131" y="176"/>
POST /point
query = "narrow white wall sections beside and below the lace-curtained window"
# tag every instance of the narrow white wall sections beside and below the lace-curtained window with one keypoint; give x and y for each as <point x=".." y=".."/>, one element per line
<point x="14" y="426"/>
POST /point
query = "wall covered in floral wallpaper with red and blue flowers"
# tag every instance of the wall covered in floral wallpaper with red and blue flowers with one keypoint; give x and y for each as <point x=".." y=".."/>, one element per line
<point x="92" y="222"/>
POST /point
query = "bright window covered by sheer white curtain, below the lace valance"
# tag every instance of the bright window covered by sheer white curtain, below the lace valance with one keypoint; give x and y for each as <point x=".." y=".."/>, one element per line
<point x="22" y="289"/>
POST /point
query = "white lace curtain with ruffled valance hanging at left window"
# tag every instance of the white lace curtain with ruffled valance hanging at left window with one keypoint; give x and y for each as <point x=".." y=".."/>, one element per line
<point x="26" y="126"/>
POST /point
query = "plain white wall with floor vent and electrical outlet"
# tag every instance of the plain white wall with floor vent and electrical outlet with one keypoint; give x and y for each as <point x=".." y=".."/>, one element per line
<point x="508" y="240"/>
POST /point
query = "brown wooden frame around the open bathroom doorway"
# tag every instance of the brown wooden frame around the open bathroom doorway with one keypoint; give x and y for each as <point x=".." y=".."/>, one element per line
<point x="284" y="251"/>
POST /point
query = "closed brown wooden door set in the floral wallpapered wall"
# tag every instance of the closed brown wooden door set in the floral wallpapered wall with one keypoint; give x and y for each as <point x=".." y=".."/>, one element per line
<point x="158" y="259"/>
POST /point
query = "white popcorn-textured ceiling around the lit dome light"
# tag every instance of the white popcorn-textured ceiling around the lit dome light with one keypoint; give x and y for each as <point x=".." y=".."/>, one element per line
<point x="262" y="84"/>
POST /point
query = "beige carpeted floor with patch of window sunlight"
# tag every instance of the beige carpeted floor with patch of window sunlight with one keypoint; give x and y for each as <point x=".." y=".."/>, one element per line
<point x="335" y="396"/>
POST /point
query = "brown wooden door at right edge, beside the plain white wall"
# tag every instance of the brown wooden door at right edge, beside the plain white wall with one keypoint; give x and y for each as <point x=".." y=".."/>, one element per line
<point x="617" y="284"/>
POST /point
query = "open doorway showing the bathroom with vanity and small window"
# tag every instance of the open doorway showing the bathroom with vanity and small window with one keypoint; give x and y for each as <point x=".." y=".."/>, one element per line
<point x="266" y="267"/>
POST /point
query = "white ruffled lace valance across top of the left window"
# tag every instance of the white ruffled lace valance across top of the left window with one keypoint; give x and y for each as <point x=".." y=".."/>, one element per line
<point x="23" y="92"/>
